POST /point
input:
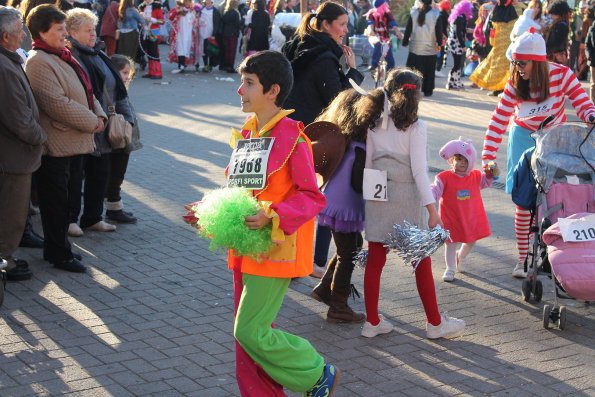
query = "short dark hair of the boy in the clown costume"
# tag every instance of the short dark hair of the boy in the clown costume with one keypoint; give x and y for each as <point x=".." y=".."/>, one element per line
<point x="271" y="67"/>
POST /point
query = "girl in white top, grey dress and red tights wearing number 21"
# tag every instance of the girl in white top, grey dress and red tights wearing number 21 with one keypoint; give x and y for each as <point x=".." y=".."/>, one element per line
<point x="397" y="144"/>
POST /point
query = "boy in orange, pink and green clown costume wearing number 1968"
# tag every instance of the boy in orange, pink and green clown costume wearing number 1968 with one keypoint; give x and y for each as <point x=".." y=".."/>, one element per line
<point x="290" y="200"/>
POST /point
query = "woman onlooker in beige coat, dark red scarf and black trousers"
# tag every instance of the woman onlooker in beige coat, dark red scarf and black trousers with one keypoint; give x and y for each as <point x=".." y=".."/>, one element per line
<point x="70" y="115"/>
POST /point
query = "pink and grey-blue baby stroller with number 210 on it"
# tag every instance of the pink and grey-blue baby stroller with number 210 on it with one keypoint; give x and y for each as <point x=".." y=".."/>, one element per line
<point x="563" y="165"/>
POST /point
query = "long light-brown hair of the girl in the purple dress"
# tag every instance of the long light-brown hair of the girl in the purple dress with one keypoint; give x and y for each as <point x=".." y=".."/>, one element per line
<point x="342" y="111"/>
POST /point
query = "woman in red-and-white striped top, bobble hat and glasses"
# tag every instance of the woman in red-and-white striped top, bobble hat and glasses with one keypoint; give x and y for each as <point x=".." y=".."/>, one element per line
<point x="536" y="90"/>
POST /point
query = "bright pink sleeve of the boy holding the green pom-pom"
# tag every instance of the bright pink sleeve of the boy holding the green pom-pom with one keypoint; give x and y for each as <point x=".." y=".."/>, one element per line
<point x="307" y="201"/>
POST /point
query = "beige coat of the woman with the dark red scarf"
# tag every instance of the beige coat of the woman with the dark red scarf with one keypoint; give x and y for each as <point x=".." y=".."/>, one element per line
<point x="62" y="101"/>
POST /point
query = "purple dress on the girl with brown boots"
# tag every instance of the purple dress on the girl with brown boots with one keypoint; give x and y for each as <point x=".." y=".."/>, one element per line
<point x="345" y="208"/>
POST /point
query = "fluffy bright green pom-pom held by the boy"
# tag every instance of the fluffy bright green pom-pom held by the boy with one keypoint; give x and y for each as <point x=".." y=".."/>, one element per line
<point x="222" y="220"/>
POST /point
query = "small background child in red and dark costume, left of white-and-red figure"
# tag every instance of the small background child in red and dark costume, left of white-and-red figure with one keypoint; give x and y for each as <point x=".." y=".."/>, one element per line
<point x="153" y="14"/>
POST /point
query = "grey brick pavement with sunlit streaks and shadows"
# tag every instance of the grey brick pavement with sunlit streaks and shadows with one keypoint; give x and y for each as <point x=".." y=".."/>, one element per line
<point x="153" y="315"/>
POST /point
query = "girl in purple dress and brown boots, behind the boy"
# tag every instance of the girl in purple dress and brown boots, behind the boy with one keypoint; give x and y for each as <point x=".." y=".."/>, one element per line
<point x="344" y="211"/>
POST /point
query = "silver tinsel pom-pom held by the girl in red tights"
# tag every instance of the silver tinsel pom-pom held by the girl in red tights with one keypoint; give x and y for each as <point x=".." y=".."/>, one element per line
<point x="411" y="243"/>
